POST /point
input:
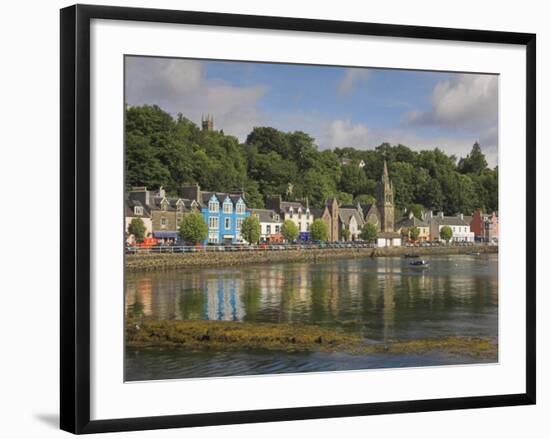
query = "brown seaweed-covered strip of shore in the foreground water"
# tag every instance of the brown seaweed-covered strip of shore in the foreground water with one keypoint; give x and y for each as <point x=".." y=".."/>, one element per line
<point x="218" y="335"/>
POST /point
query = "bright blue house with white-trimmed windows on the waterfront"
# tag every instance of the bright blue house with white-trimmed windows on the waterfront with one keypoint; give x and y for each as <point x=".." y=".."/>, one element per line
<point x="222" y="212"/>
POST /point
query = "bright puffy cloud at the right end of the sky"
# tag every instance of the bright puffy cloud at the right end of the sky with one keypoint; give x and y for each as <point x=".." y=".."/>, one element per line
<point x="466" y="101"/>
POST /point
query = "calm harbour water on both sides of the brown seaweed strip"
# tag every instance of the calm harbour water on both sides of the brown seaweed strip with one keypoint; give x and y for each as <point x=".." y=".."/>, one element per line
<point x="383" y="299"/>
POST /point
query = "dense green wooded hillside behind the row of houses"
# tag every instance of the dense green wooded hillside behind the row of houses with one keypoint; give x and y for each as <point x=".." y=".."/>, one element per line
<point x="161" y="150"/>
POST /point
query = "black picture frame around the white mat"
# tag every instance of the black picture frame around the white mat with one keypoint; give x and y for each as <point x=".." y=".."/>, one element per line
<point x="75" y="217"/>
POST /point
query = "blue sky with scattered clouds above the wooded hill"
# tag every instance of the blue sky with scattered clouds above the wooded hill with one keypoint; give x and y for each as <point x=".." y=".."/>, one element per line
<point x="337" y="106"/>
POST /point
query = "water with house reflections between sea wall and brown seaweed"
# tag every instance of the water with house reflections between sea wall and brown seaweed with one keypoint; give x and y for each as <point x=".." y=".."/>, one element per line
<point x="383" y="298"/>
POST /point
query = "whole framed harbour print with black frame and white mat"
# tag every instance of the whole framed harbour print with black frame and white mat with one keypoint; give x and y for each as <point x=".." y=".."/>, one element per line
<point x="268" y="218"/>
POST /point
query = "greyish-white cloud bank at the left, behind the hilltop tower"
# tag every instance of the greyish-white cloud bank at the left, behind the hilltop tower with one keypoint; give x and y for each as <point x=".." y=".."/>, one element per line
<point x="179" y="85"/>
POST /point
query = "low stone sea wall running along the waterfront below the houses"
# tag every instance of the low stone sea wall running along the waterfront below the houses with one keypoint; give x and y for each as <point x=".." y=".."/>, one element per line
<point x="164" y="261"/>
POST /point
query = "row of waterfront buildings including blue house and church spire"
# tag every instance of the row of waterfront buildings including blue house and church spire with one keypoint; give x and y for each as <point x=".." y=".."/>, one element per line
<point x="224" y="212"/>
